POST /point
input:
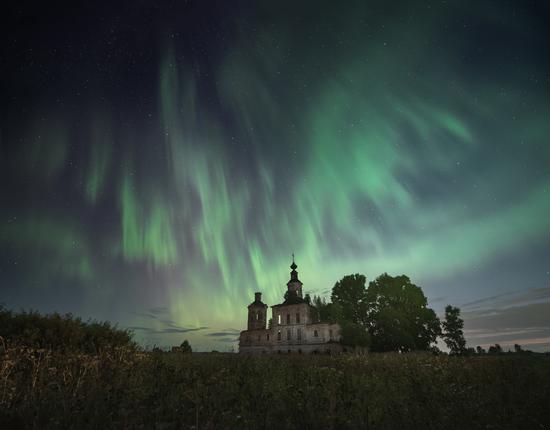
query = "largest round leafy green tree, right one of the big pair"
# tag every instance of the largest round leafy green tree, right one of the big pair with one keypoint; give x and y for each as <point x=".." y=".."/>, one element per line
<point x="398" y="316"/>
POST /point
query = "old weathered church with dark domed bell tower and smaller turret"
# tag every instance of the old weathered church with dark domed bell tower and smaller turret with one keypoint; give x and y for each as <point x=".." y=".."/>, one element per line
<point x="294" y="327"/>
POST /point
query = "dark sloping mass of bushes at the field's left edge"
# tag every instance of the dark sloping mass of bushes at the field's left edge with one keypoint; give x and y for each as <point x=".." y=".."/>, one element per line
<point x="60" y="332"/>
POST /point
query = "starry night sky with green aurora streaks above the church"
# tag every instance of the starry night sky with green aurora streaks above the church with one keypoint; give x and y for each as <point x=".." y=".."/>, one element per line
<point x="161" y="161"/>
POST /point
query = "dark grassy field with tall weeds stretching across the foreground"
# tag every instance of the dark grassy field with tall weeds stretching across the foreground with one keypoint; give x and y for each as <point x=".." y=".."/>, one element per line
<point x="126" y="389"/>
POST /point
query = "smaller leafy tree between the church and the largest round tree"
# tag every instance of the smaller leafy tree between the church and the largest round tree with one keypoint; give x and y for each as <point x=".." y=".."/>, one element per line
<point x="350" y="294"/>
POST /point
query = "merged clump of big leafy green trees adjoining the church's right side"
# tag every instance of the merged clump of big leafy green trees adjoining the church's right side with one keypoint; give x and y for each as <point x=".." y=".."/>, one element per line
<point x="392" y="314"/>
